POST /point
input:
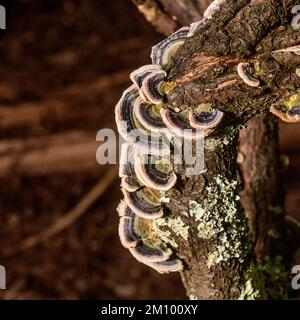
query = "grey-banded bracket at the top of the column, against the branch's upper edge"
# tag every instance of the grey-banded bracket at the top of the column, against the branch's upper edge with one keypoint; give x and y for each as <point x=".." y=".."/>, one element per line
<point x="162" y="52"/>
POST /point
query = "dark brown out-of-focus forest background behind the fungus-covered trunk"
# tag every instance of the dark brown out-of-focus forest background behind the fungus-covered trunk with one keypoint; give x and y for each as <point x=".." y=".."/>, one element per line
<point x="64" y="65"/>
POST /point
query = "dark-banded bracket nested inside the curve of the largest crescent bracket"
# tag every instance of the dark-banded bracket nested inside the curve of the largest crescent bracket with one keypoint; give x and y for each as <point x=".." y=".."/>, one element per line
<point x="149" y="116"/>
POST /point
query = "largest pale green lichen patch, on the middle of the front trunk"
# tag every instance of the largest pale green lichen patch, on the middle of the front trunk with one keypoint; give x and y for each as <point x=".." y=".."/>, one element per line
<point x="221" y="219"/>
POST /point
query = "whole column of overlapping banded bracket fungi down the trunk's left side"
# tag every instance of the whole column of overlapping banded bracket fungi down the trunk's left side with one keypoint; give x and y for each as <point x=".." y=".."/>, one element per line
<point x="148" y="126"/>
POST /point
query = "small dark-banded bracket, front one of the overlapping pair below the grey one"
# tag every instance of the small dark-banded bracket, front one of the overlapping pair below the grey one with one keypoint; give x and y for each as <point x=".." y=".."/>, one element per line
<point x="152" y="87"/>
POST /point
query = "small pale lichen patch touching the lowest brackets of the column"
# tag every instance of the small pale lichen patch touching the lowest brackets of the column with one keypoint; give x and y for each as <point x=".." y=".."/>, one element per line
<point x="171" y="226"/>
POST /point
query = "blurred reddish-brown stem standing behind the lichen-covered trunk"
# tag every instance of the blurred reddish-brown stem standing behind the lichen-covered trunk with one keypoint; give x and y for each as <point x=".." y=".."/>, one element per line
<point x="263" y="195"/>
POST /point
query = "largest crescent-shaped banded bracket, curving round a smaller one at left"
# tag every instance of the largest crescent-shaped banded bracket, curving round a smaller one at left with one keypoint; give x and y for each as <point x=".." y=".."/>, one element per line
<point x="132" y="130"/>
